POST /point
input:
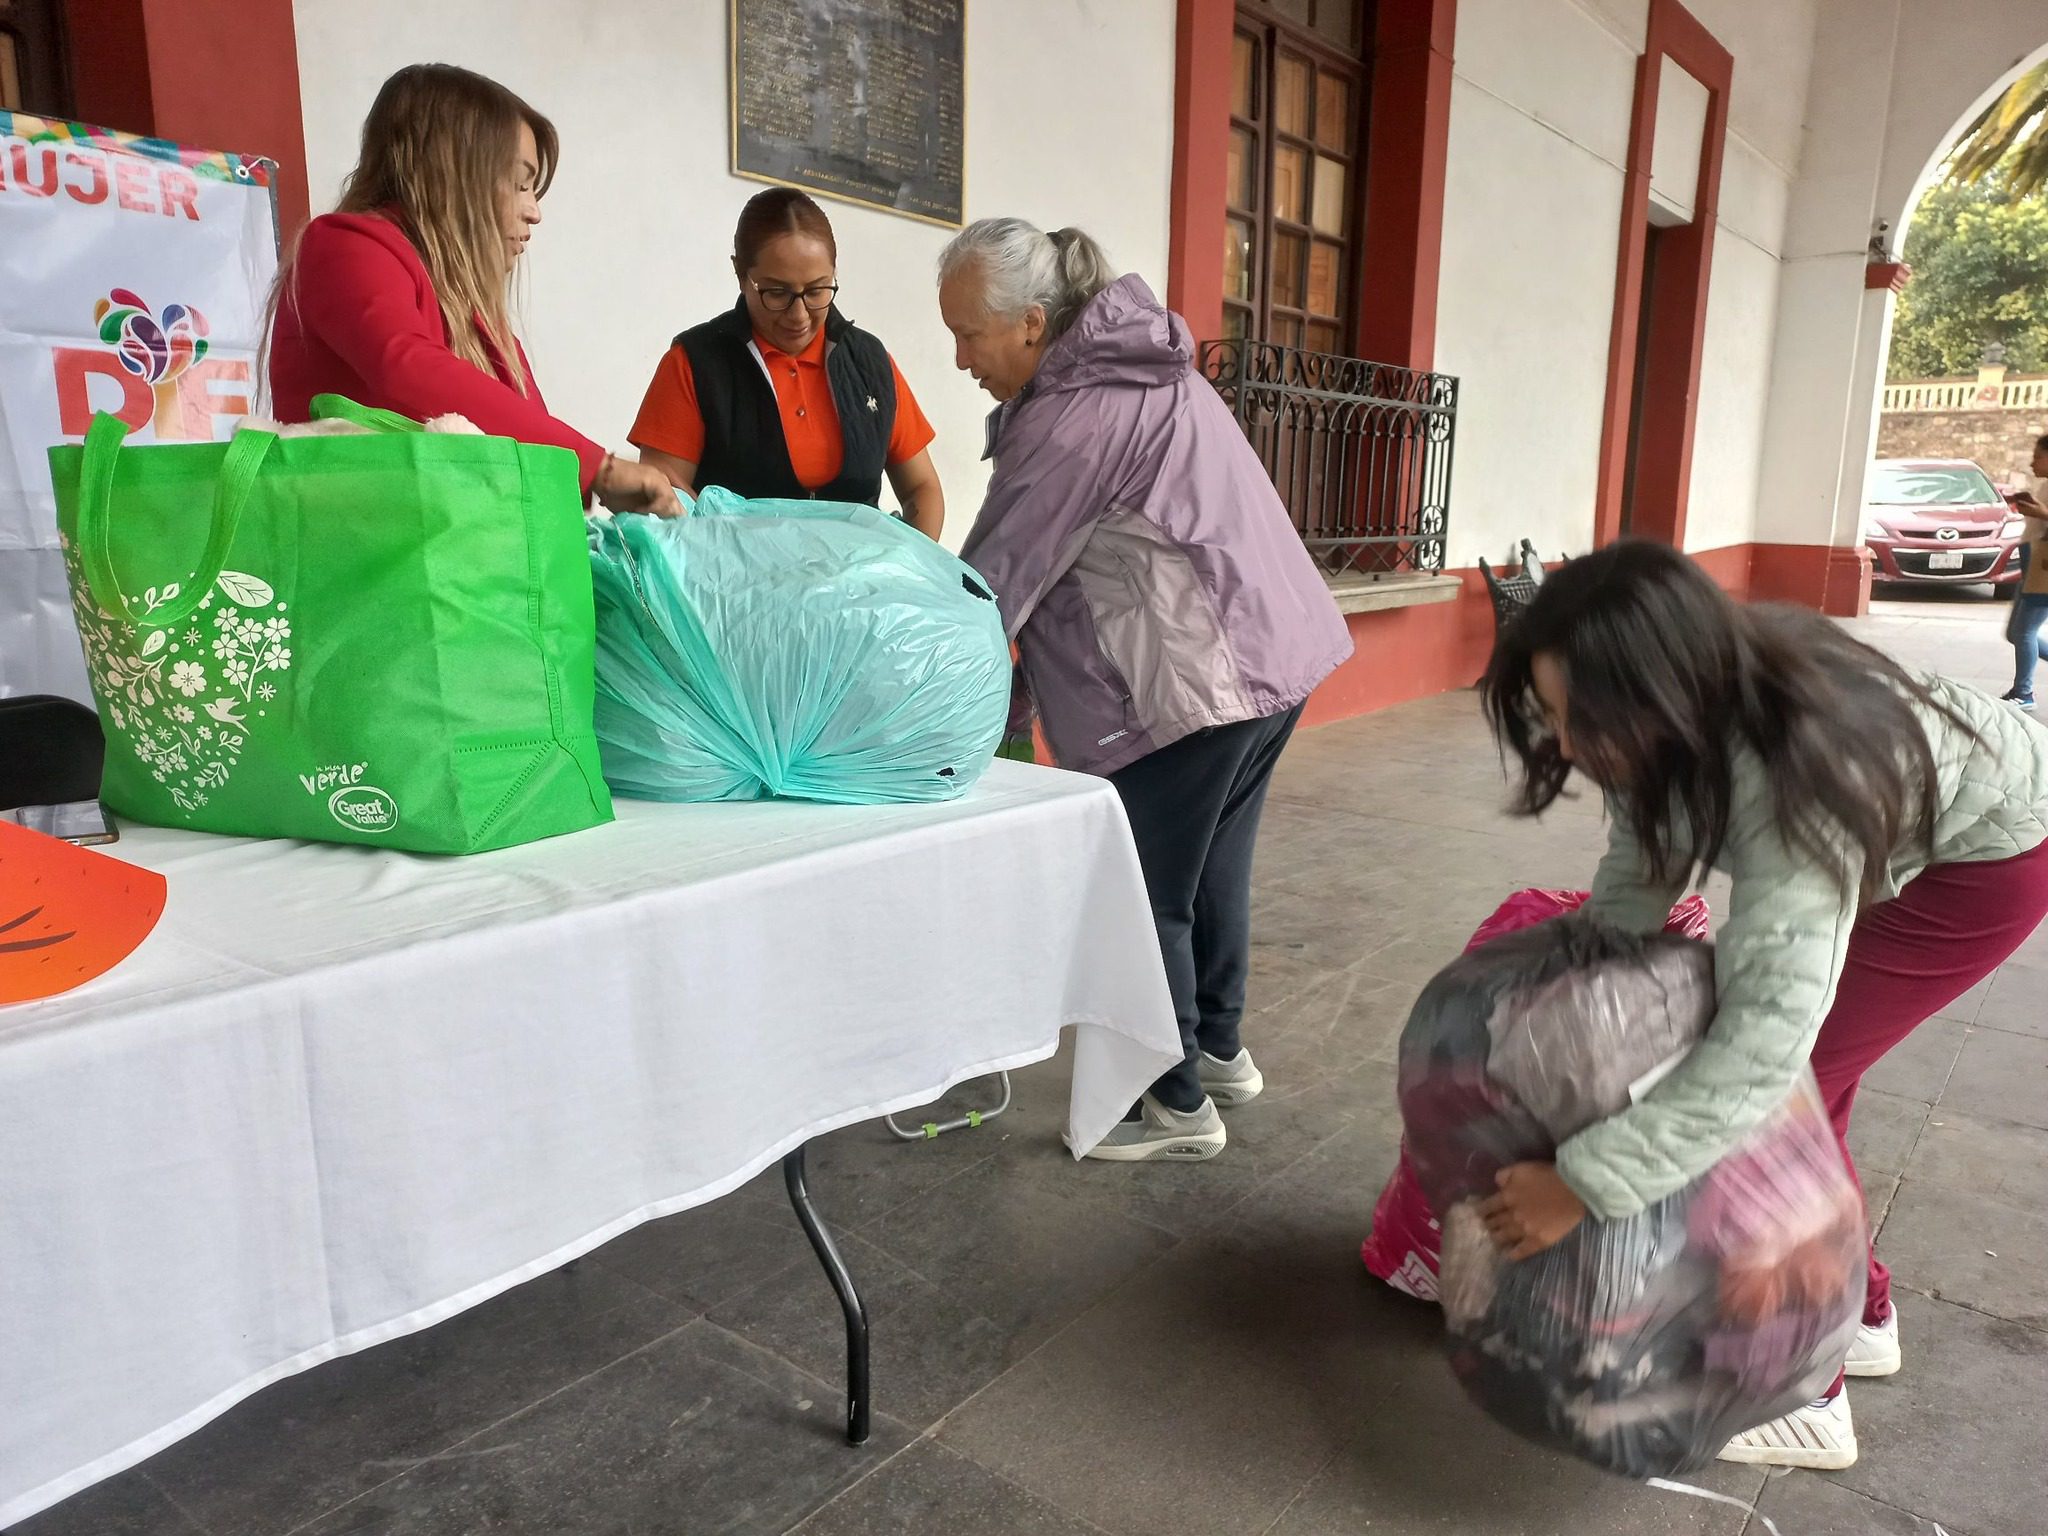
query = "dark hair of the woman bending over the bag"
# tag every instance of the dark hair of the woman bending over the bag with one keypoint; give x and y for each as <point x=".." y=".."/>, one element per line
<point x="1668" y="679"/>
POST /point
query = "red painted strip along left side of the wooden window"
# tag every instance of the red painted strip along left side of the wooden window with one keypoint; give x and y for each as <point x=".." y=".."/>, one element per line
<point x="1201" y="163"/>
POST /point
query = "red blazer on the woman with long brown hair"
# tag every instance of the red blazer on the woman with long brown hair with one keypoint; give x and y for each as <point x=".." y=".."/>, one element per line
<point x="361" y="300"/>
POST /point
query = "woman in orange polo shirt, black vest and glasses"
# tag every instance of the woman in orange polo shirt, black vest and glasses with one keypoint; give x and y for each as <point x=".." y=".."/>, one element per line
<point x="783" y="396"/>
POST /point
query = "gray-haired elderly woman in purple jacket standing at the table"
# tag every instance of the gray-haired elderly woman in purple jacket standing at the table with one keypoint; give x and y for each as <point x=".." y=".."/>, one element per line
<point x="1168" y="617"/>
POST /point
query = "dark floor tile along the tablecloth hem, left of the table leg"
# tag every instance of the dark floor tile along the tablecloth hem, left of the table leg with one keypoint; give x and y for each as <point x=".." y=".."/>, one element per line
<point x="310" y="1443"/>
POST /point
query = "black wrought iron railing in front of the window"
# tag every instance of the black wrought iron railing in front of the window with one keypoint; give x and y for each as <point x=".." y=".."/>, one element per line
<point x="1359" y="452"/>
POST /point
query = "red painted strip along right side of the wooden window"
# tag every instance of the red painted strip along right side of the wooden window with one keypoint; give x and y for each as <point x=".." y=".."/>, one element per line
<point x="1408" y="148"/>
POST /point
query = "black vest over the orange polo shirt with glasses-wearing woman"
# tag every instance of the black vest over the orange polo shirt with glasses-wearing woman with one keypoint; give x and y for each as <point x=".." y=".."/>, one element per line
<point x="744" y="450"/>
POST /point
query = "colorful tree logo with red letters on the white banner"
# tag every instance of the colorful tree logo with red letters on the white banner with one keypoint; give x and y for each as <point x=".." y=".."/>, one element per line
<point x="161" y="368"/>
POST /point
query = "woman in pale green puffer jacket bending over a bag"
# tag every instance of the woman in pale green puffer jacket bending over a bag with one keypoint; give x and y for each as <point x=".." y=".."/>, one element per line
<point x="1887" y="839"/>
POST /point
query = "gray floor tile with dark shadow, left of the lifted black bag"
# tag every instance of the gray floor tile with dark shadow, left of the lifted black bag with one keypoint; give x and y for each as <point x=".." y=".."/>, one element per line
<point x="1205" y="1394"/>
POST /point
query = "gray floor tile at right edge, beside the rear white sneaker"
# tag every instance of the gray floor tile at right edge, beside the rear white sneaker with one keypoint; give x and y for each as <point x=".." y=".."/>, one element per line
<point x="1973" y="1250"/>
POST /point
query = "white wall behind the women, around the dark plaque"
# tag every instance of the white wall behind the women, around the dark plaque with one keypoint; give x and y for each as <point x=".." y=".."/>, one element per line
<point x="1070" y="120"/>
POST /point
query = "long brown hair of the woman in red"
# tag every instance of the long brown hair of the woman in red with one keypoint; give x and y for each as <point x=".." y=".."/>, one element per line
<point x="437" y="148"/>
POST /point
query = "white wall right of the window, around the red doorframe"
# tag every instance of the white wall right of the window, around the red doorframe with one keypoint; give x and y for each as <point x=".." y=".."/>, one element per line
<point x="1539" y="144"/>
